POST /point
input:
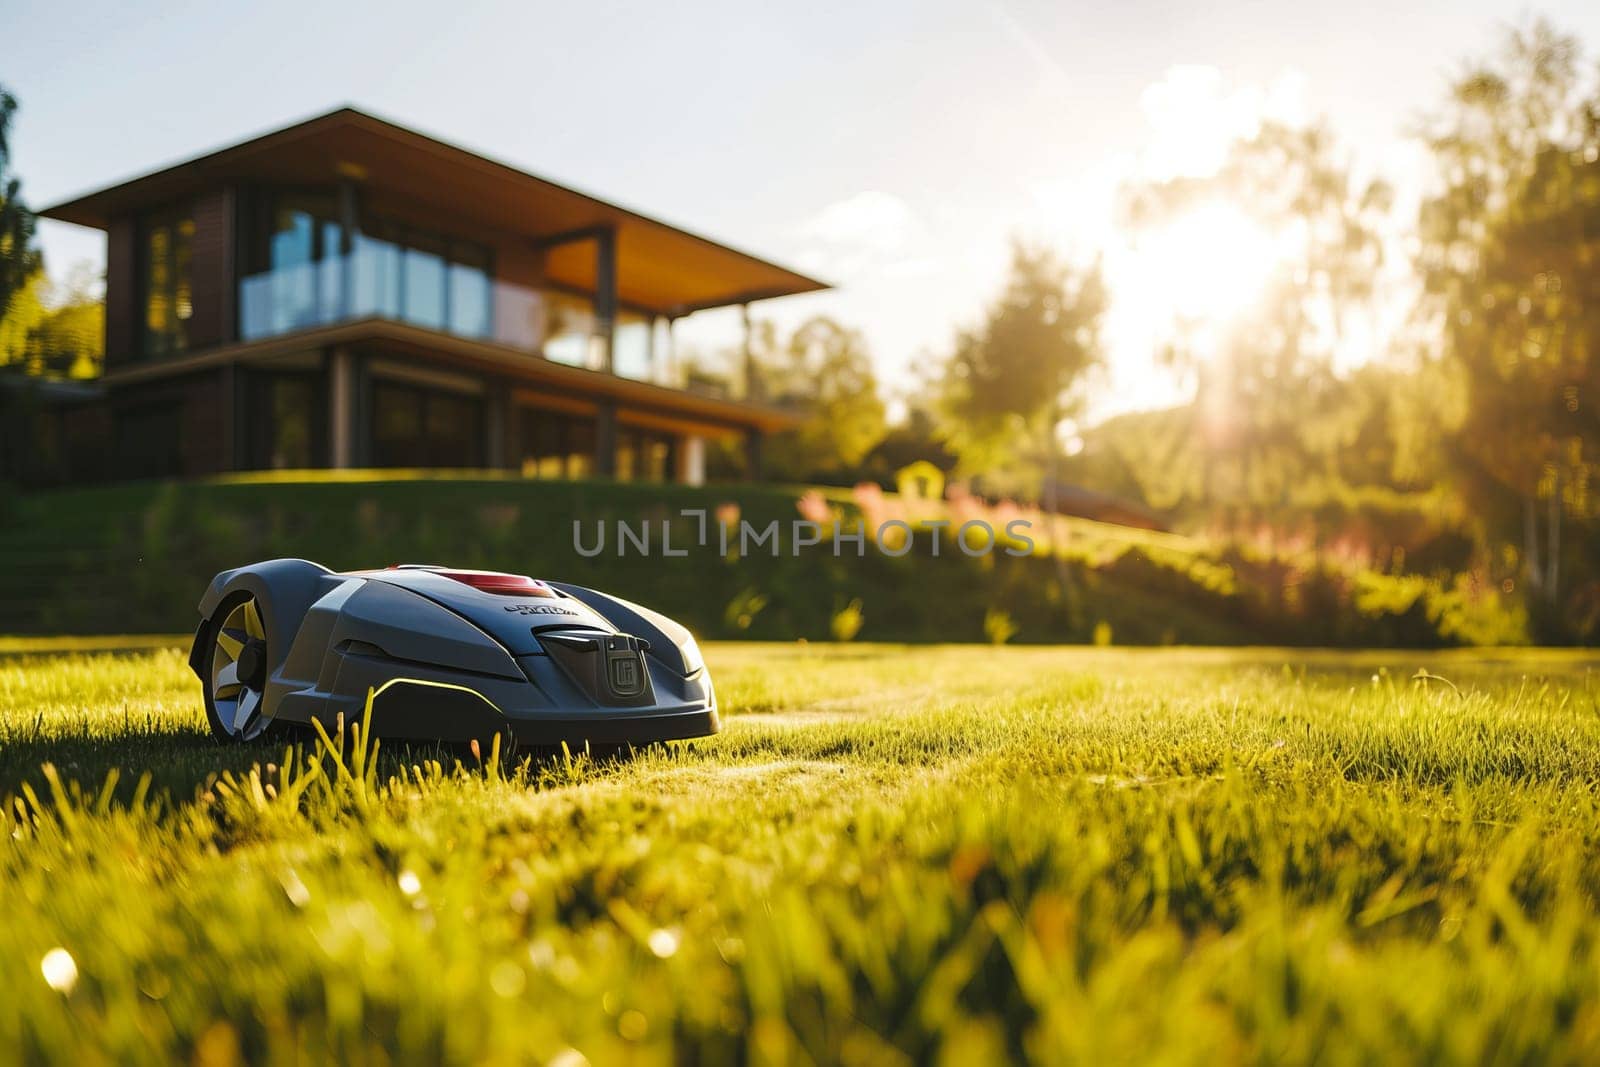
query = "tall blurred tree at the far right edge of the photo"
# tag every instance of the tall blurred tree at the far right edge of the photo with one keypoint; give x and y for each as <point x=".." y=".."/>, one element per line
<point x="1511" y="265"/>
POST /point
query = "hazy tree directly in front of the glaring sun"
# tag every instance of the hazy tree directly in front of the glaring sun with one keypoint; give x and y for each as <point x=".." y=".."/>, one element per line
<point x="1271" y="367"/>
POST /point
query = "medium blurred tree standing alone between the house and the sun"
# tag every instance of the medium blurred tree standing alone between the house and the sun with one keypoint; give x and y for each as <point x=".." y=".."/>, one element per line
<point x="1015" y="378"/>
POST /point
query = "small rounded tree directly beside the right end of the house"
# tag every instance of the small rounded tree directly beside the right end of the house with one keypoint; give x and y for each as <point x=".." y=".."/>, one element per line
<point x="826" y="372"/>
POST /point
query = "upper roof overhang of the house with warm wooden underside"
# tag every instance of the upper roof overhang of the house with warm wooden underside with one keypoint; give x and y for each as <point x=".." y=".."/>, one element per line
<point x="660" y="268"/>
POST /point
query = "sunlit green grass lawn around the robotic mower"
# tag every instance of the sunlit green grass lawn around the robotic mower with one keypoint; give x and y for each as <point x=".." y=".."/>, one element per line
<point x="890" y="855"/>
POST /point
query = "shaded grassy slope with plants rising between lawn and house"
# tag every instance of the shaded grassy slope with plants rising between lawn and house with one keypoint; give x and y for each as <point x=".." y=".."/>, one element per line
<point x="135" y="559"/>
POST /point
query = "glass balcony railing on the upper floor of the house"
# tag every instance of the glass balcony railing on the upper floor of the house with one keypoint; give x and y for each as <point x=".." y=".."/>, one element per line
<point x="449" y="298"/>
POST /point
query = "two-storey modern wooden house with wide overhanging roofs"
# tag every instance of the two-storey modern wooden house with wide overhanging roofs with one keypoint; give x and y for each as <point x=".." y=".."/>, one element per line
<point x="350" y="294"/>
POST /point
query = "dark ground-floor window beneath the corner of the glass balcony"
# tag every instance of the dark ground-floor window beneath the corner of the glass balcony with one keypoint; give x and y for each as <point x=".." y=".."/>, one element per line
<point x="420" y="428"/>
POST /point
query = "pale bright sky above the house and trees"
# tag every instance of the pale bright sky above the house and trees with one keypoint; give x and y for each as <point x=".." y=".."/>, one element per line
<point x="895" y="150"/>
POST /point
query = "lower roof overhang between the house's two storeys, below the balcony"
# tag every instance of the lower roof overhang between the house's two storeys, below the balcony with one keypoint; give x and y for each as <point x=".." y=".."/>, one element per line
<point x="521" y="369"/>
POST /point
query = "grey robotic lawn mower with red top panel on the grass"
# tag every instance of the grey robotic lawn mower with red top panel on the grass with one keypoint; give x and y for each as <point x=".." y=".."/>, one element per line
<point x="449" y="655"/>
